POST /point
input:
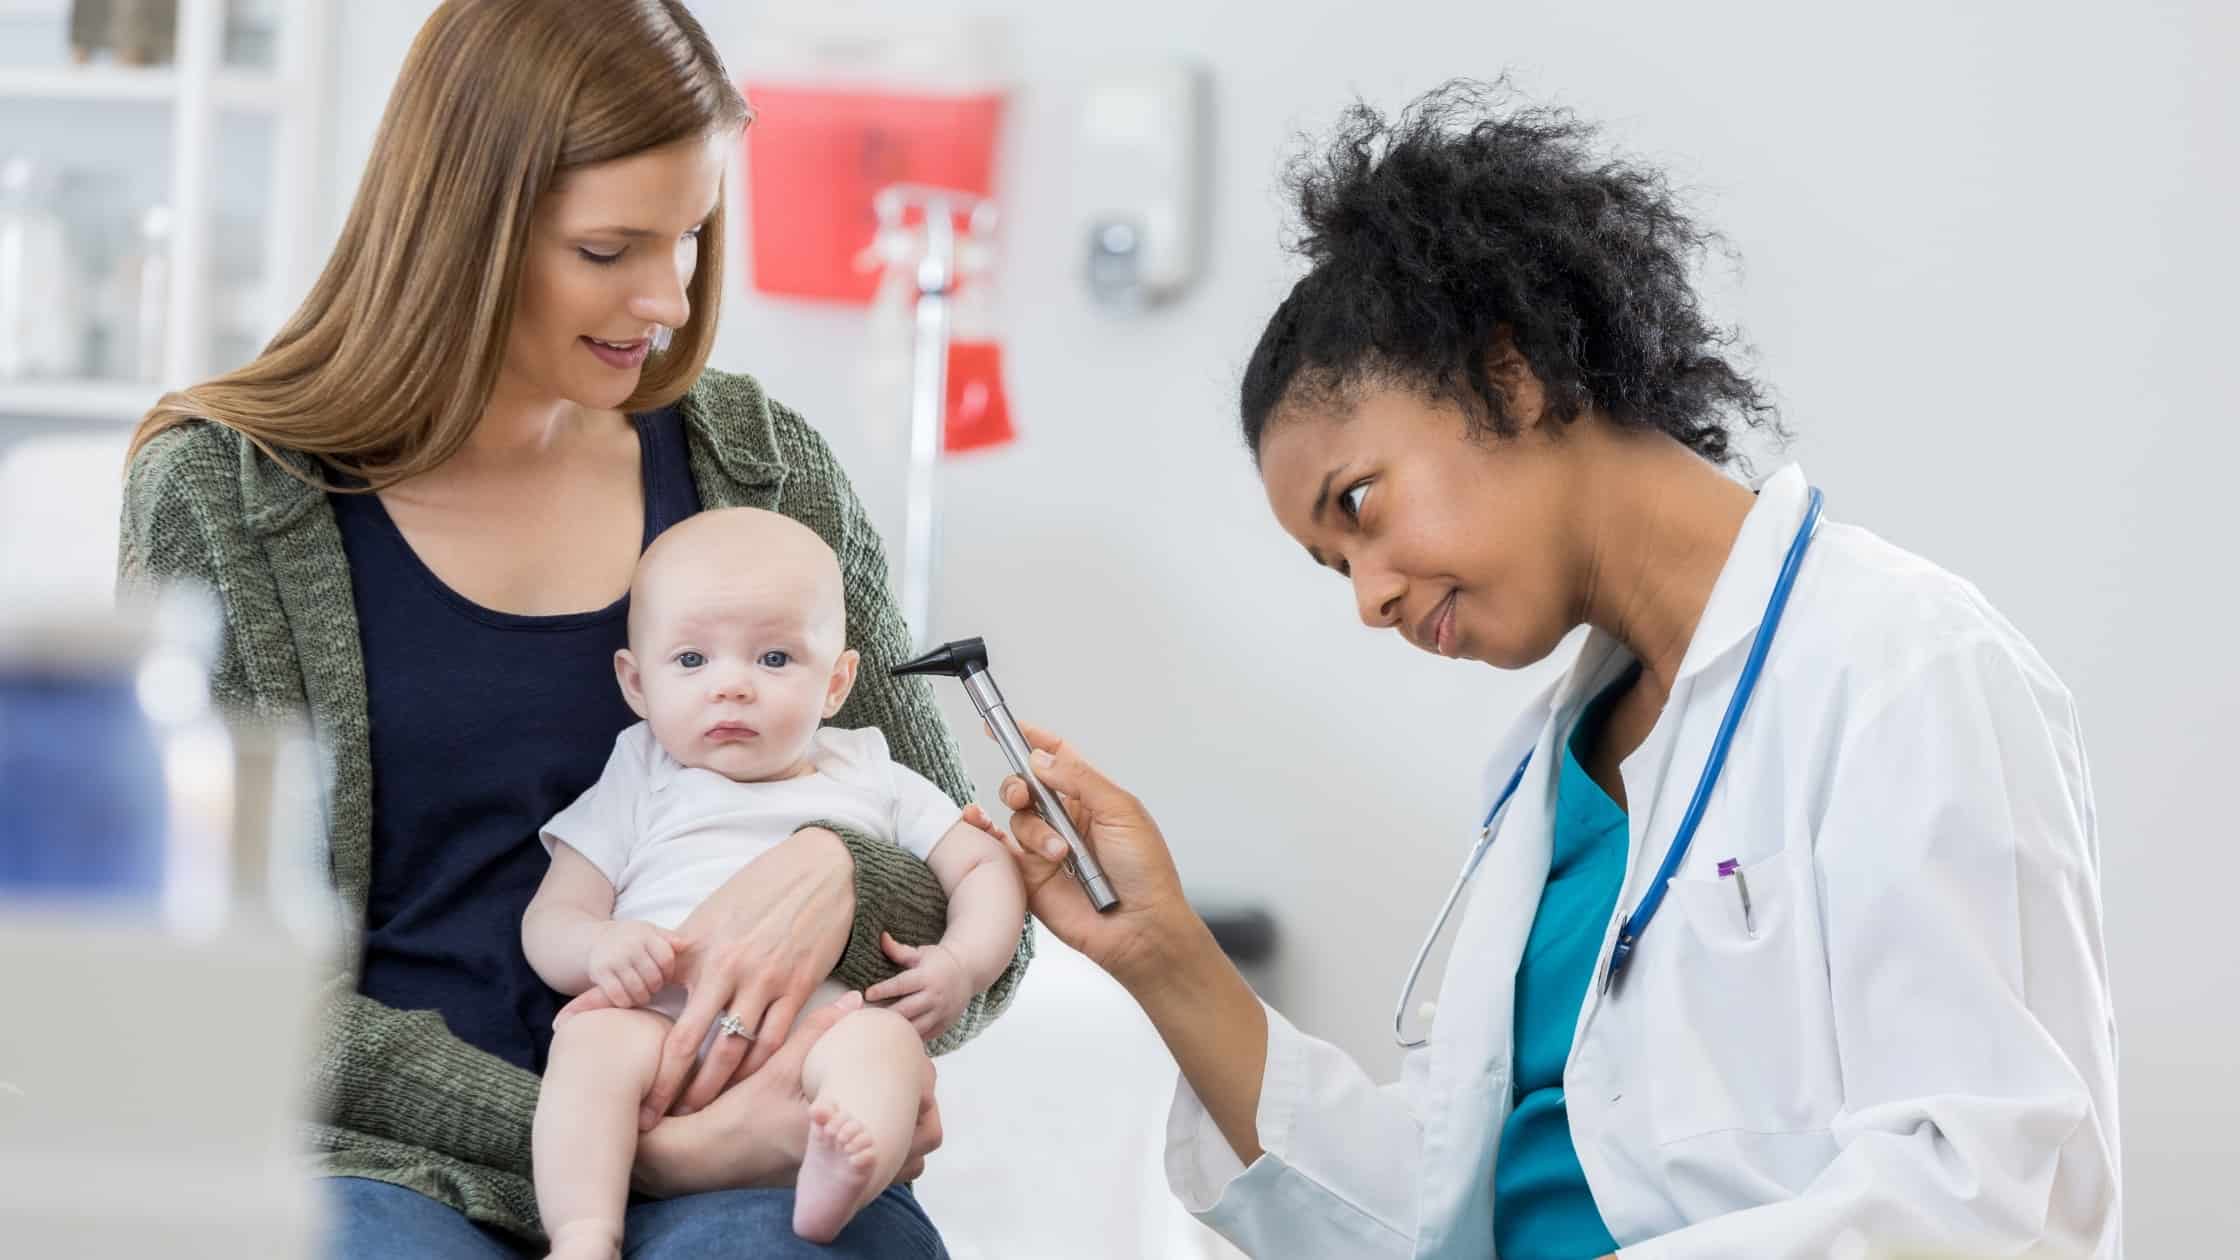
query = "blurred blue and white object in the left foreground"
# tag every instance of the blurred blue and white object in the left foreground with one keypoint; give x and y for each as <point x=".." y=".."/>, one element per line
<point x="165" y="918"/>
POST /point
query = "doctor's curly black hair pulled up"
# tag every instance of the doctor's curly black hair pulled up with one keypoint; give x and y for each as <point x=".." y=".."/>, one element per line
<point x="1464" y="219"/>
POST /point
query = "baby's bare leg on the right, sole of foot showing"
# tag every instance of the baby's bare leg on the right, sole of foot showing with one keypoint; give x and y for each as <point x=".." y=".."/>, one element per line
<point x="864" y="1084"/>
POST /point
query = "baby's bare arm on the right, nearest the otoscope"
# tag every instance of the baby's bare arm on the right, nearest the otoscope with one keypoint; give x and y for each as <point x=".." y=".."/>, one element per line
<point x="987" y="909"/>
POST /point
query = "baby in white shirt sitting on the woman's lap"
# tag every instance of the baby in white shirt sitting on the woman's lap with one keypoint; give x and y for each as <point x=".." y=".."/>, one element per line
<point x="738" y="654"/>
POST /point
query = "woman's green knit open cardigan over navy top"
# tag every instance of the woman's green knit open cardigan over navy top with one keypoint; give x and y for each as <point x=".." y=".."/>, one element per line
<point x="395" y="1095"/>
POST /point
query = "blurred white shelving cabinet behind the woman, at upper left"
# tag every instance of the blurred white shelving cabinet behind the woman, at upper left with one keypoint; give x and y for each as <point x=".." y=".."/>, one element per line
<point x="187" y="194"/>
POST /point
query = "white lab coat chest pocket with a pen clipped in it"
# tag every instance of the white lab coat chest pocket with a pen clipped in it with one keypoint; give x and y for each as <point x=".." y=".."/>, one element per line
<point x="1744" y="1006"/>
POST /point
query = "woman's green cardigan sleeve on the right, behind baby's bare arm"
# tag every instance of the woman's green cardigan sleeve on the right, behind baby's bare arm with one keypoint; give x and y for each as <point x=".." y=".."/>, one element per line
<point x="895" y="891"/>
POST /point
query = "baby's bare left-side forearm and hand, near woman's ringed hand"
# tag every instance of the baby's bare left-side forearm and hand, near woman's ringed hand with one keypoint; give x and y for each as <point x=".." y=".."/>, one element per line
<point x="575" y="943"/>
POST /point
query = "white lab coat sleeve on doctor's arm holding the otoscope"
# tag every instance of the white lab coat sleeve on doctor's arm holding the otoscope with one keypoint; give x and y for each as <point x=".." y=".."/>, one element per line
<point x="1338" y="1158"/>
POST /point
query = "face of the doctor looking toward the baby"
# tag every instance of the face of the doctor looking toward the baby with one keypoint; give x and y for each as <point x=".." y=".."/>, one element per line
<point x="1462" y="544"/>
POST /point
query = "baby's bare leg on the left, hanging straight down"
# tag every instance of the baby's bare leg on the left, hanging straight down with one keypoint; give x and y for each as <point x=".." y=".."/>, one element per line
<point x="588" y="1127"/>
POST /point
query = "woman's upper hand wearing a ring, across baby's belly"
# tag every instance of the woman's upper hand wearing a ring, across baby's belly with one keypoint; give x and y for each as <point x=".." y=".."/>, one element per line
<point x="756" y="949"/>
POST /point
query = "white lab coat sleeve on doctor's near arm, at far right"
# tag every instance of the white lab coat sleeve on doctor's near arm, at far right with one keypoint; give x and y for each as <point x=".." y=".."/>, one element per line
<point x="1961" y="911"/>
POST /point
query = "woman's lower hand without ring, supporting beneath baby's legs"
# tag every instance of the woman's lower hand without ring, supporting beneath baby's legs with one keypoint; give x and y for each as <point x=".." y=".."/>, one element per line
<point x="758" y="1131"/>
